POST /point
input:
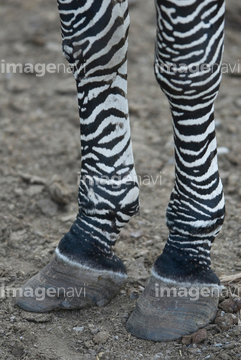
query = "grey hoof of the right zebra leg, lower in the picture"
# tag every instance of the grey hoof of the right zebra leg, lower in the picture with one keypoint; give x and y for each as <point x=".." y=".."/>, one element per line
<point x="169" y="310"/>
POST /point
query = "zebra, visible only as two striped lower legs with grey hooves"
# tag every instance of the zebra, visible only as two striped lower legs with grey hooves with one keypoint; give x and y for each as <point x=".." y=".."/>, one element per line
<point x="188" y="55"/>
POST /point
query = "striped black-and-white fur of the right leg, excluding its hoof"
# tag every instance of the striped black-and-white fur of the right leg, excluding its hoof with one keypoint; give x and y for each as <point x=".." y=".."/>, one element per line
<point x="189" y="50"/>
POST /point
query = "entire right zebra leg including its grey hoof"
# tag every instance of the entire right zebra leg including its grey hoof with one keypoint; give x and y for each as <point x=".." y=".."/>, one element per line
<point x="182" y="293"/>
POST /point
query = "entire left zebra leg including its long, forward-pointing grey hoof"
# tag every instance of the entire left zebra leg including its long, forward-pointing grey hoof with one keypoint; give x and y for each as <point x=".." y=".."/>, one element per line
<point x="95" y="35"/>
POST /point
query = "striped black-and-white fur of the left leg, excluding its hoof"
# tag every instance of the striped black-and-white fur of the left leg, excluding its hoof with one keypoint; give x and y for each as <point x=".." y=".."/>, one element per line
<point x="95" y="40"/>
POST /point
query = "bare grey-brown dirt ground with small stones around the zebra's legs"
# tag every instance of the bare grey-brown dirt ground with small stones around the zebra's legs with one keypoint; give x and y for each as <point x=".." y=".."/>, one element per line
<point x="40" y="139"/>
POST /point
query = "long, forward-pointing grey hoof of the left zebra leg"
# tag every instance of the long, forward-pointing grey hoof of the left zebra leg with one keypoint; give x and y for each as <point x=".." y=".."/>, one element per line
<point x="60" y="285"/>
